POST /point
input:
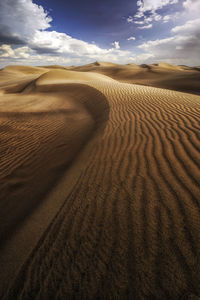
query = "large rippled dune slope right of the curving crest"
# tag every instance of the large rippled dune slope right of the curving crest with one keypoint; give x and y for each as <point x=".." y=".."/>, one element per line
<point x="129" y="228"/>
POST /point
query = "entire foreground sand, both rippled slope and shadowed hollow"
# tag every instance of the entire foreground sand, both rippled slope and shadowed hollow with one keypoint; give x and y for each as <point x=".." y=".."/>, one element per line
<point x="129" y="227"/>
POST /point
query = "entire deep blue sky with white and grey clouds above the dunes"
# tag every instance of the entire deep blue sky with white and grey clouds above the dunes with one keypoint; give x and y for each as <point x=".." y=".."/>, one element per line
<point x="75" y="32"/>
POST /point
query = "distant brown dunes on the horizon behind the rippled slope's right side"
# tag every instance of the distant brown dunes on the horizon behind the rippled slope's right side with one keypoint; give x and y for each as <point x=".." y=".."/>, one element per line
<point x="179" y="78"/>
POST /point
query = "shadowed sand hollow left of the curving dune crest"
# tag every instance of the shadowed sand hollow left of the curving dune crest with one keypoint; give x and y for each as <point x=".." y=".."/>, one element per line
<point x="62" y="121"/>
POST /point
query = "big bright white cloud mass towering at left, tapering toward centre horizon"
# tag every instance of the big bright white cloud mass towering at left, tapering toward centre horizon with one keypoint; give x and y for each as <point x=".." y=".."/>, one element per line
<point x="25" y="39"/>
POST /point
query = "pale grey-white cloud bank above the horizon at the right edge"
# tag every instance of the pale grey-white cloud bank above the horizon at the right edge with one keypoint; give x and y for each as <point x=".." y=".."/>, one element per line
<point x="181" y="48"/>
